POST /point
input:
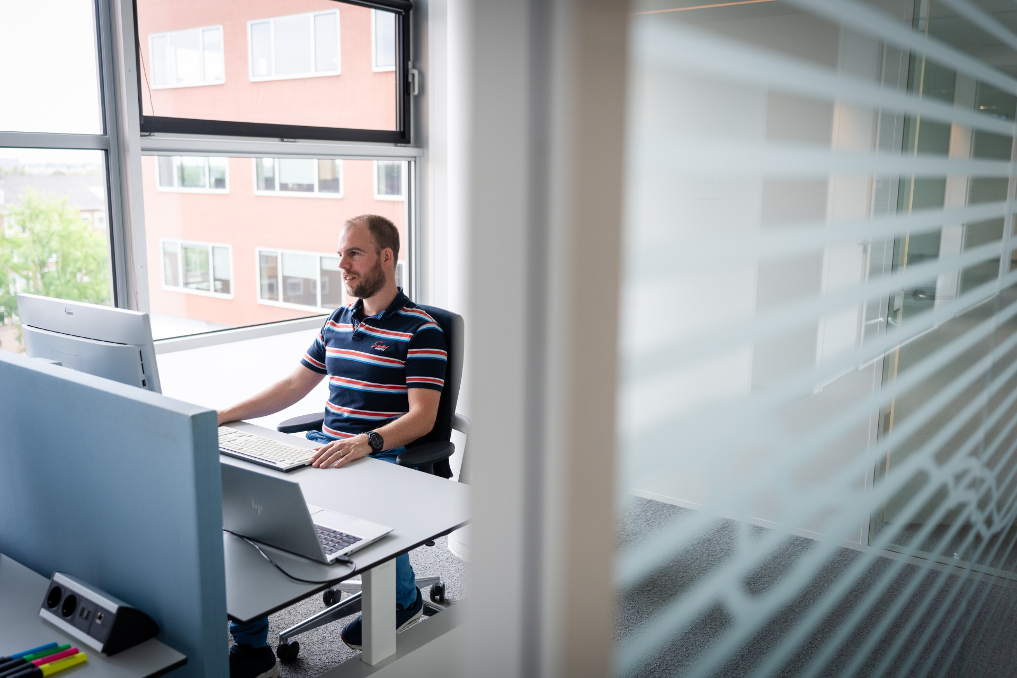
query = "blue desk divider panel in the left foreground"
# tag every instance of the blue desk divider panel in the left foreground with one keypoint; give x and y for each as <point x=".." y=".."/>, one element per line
<point x="121" y="487"/>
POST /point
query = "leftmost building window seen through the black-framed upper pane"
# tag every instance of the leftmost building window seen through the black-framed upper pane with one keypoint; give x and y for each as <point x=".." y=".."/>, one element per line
<point x="188" y="58"/>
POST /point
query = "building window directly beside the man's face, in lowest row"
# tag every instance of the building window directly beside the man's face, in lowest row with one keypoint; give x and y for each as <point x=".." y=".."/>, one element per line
<point x="300" y="279"/>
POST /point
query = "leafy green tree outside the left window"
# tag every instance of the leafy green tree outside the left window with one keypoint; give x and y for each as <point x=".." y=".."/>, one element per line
<point x="47" y="250"/>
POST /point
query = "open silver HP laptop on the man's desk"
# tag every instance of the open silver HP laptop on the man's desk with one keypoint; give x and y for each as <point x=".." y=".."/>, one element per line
<point x="272" y="511"/>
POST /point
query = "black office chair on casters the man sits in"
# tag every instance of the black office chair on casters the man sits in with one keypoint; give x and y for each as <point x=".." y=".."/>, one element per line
<point x="429" y="454"/>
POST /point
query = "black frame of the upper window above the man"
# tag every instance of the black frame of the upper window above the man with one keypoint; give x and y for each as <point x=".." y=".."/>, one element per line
<point x="401" y="136"/>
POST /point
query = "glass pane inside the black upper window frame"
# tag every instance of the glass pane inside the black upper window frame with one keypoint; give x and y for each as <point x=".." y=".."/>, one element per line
<point x="260" y="57"/>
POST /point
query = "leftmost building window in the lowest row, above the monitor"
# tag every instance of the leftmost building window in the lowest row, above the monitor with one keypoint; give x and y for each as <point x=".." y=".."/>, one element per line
<point x="203" y="269"/>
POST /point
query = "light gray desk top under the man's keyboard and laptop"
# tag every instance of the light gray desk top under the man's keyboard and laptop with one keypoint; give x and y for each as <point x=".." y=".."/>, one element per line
<point x="417" y="506"/>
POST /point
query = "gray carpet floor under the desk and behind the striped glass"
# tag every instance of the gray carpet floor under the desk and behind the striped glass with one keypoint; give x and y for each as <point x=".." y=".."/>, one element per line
<point x="989" y="650"/>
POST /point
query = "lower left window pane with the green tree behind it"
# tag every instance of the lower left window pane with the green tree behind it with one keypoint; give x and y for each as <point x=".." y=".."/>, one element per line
<point x="54" y="239"/>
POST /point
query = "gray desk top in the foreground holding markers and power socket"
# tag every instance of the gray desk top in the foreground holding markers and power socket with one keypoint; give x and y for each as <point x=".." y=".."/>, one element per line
<point x="22" y="593"/>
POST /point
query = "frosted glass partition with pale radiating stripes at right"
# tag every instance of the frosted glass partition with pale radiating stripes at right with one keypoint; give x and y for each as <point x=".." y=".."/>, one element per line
<point x="818" y="418"/>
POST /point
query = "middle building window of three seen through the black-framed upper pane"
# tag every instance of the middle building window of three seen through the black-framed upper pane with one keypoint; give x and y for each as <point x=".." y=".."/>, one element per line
<point x="294" y="46"/>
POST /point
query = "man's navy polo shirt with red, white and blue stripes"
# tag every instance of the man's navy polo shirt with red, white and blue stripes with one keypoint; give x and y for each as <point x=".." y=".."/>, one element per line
<point x="373" y="362"/>
